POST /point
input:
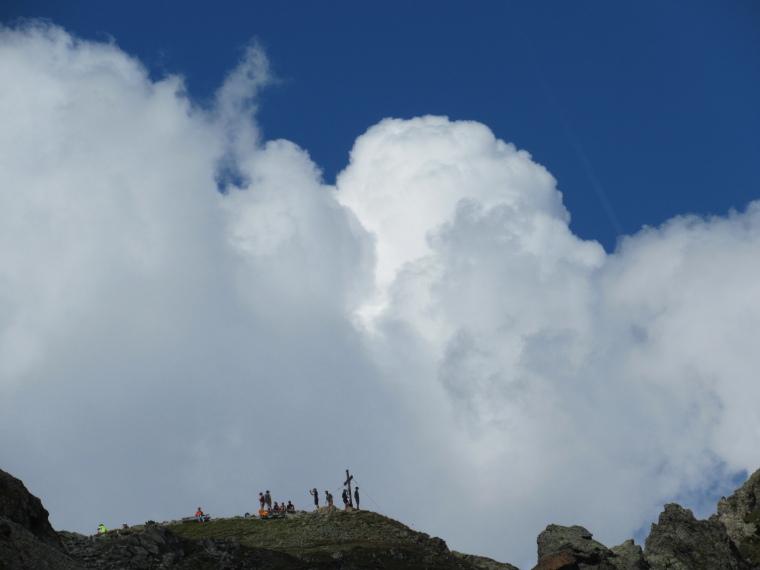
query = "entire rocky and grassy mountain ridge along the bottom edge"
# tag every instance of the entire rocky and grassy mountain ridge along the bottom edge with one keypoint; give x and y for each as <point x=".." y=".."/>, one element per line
<point x="353" y="539"/>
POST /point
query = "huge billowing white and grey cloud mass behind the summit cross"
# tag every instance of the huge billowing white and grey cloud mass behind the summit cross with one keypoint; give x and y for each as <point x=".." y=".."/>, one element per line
<point x="189" y="315"/>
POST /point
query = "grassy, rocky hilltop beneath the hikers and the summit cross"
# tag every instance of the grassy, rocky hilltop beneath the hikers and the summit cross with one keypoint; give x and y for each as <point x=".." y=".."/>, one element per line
<point x="327" y="538"/>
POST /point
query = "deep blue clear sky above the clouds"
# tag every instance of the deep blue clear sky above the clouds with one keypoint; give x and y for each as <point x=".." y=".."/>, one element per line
<point x="642" y="111"/>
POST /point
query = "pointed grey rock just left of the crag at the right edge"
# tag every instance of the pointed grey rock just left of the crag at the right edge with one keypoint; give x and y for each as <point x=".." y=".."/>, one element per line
<point x="680" y="541"/>
